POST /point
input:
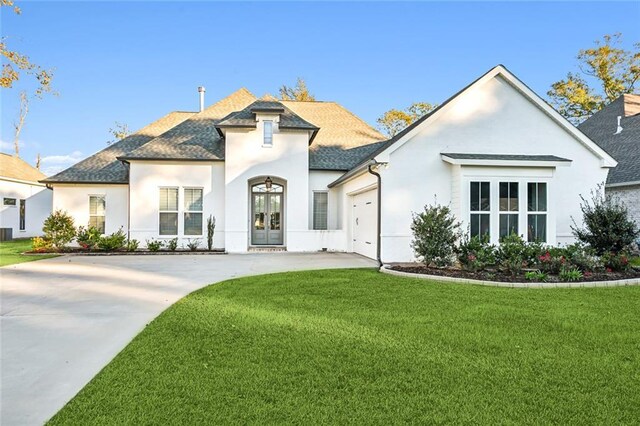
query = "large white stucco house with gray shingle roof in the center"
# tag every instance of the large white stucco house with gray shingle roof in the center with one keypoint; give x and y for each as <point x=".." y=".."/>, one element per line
<point x="310" y="176"/>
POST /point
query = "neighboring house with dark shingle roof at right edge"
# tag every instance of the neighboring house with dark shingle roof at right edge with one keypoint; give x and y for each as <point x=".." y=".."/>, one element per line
<point x="616" y="128"/>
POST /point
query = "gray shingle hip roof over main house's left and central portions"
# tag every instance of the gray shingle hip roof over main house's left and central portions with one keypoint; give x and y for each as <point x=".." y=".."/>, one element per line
<point x="341" y="139"/>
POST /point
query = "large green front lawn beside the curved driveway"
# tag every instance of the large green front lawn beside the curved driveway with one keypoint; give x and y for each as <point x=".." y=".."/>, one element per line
<point x="360" y="347"/>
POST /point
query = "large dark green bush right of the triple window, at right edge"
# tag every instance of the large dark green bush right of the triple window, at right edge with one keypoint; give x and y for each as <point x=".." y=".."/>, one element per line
<point x="607" y="226"/>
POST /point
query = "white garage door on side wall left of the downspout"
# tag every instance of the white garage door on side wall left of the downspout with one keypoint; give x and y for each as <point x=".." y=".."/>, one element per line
<point x="365" y="223"/>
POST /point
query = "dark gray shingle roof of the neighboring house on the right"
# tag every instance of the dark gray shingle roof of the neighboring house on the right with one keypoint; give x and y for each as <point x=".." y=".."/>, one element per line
<point x="624" y="146"/>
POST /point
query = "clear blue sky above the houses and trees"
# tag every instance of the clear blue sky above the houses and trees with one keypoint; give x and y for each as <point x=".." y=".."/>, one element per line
<point x="133" y="62"/>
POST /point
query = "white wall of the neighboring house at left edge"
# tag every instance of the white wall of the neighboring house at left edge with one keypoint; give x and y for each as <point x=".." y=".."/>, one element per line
<point x="38" y="202"/>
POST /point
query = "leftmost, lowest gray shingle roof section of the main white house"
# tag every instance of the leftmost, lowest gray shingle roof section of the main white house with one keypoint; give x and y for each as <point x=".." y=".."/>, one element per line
<point x="104" y="167"/>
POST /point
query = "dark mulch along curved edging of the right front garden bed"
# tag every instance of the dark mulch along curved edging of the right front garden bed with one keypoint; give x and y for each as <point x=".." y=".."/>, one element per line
<point x="496" y="275"/>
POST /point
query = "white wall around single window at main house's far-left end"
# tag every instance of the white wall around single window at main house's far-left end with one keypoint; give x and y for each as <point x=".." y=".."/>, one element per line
<point x="74" y="199"/>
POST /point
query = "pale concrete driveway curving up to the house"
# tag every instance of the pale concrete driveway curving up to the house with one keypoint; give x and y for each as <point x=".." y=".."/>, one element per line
<point x="64" y="319"/>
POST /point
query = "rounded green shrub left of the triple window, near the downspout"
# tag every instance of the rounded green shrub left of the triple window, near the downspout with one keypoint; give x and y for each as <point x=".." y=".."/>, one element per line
<point x="435" y="235"/>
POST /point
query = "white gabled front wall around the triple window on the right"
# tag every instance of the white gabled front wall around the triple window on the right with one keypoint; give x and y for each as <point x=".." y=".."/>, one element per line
<point x="491" y="118"/>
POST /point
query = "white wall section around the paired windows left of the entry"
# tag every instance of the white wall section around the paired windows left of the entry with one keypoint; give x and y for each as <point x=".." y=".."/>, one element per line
<point x="147" y="177"/>
